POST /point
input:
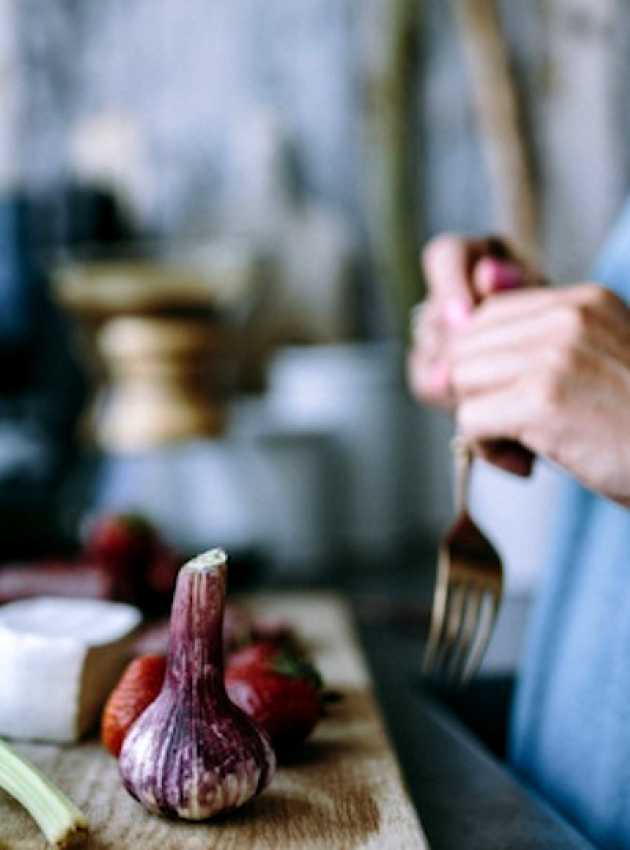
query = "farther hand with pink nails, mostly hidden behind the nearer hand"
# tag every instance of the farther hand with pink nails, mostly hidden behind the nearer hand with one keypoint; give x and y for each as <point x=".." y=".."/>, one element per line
<point x="460" y="273"/>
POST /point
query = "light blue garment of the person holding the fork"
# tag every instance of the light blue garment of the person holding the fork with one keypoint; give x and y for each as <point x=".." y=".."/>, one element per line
<point x="570" y="735"/>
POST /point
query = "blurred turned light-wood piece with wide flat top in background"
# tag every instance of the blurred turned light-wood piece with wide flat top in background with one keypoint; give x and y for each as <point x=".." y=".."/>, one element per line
<point x="159" y="346"/>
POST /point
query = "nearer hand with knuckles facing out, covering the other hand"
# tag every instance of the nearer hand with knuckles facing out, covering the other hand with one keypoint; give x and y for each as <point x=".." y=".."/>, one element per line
<point x="551" y="369"/>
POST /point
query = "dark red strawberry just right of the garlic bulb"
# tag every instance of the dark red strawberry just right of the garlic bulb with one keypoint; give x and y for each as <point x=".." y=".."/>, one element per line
<point x="278" y="690"/>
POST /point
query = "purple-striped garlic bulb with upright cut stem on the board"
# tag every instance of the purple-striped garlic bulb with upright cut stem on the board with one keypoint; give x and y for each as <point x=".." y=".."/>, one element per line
<point x="192" y="753"/>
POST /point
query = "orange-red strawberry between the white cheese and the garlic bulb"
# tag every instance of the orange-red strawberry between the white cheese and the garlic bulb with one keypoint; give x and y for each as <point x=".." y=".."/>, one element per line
<point x="139" y="685"/>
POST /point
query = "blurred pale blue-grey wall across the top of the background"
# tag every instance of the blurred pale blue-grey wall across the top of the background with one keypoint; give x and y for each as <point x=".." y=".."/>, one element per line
<point x="181" y="79"/>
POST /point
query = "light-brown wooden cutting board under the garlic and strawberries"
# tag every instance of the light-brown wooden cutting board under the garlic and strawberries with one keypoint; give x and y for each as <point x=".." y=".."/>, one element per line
<point x="344" y="792"/>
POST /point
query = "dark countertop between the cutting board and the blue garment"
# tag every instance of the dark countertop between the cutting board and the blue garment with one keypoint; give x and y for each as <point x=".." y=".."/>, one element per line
<point x="465" y="795"/>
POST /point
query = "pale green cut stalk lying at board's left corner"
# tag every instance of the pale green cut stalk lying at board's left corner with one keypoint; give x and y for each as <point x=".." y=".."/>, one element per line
<point x="58" y="818"/>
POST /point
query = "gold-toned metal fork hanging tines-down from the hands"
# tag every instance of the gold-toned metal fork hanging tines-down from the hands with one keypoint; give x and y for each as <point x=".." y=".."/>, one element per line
<point x="468" y="588"/>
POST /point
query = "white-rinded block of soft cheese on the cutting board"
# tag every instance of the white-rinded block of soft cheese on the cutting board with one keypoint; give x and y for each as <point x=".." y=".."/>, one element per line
<point x="59" y="659"/>
